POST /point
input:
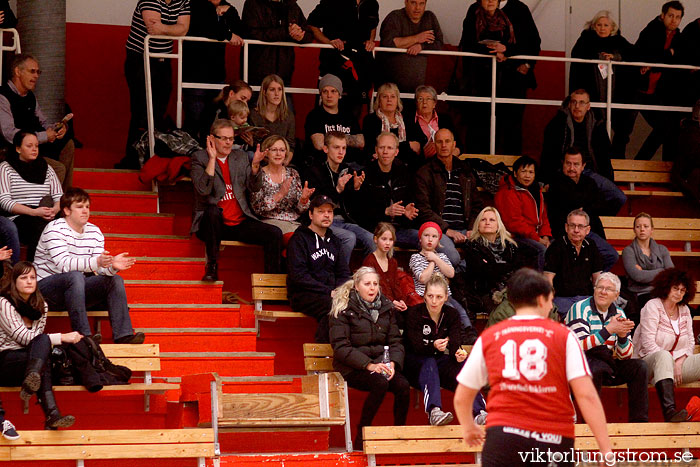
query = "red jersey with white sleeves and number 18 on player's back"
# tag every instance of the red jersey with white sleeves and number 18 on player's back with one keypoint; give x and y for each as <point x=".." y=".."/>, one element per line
<point x="528" y="362"/>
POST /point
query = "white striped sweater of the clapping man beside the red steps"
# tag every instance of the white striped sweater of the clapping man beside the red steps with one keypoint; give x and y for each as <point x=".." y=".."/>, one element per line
<point x="62" y="249"/>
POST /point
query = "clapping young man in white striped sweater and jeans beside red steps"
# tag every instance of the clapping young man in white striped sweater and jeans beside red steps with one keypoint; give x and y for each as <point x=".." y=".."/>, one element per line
<point x="75" y="272"/>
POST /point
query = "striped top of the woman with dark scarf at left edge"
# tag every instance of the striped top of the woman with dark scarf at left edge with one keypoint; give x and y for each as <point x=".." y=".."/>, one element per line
<point x="16" y="190"/>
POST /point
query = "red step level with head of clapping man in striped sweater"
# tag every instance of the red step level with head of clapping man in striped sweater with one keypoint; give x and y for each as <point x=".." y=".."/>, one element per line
<point x="133" y="223"/>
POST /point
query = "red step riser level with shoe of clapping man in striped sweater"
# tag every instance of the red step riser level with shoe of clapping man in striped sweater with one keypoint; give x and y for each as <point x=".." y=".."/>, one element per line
<point x="202" y="339"/>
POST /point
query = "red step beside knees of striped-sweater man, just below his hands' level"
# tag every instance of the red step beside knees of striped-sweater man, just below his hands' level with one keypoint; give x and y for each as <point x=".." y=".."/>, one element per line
<point x="170" y="291"/>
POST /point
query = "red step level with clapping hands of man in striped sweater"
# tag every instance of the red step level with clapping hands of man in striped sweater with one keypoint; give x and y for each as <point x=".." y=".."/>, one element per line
<point x="167" y="268"/>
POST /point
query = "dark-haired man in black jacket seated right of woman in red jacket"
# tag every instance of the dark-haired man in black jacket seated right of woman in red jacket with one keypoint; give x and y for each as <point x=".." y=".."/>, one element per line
<point x="572" y="189"/>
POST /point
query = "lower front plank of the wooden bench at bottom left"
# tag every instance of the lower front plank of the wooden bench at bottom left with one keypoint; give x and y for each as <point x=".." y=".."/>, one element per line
<point x="142" y="451"/>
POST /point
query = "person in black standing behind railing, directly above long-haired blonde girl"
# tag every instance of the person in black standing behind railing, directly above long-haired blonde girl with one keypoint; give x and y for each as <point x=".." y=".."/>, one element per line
<point x="273" y="21"/>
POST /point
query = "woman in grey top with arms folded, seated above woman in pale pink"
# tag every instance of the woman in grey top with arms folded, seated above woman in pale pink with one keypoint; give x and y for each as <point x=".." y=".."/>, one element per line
<point x="644" y="258"/>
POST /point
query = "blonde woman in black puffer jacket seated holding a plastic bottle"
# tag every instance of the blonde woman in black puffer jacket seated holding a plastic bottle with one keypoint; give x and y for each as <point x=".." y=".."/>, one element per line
<point x="362" y="326"/>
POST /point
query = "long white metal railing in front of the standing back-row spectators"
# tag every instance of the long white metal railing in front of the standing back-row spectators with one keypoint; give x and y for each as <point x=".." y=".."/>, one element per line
<point x="493" y="99"/>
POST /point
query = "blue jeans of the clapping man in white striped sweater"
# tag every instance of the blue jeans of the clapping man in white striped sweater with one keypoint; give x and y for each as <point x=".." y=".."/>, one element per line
<point x="76" y="292"/>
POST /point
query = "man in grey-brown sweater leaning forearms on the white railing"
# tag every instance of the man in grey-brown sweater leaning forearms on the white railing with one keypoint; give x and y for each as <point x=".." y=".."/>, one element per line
<point x="415" y="29"/>
